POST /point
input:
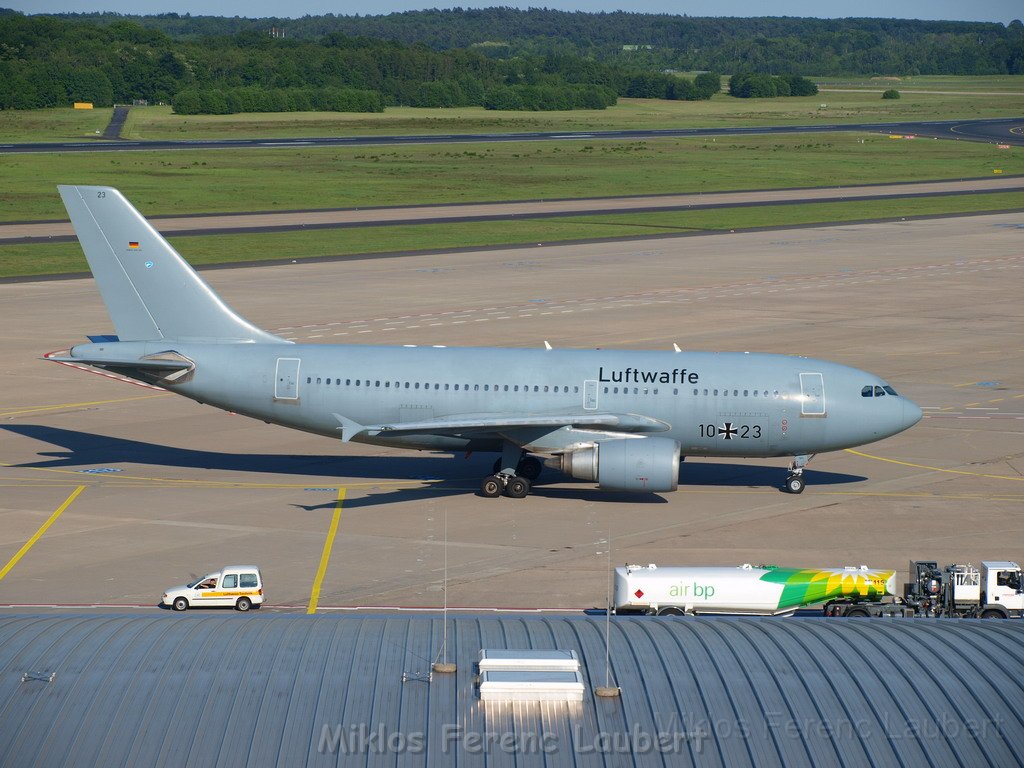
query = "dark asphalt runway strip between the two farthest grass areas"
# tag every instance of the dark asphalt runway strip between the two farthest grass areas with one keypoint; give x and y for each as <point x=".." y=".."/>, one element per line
<point x="1008" y="131"/>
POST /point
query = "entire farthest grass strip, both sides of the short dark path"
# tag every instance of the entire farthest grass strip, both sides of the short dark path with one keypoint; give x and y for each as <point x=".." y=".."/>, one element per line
<point x="969" y="100"/>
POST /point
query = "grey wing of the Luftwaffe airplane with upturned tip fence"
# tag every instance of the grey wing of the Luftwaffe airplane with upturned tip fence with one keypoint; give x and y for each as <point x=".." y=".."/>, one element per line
<point x="465" y="424"/>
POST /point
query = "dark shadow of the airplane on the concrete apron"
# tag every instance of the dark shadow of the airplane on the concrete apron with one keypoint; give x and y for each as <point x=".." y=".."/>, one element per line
<point x="451" y="478"/>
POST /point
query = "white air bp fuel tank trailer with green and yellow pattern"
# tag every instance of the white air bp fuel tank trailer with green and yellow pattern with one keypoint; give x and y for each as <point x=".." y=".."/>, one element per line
<point x="755" y="590"/>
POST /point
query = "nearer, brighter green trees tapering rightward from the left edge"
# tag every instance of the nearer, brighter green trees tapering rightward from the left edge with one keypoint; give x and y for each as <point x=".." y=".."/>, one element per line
<point x="48" y="62"/>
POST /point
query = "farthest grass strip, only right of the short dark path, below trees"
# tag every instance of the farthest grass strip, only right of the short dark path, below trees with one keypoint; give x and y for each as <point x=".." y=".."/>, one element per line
<point x="159" y="122"/>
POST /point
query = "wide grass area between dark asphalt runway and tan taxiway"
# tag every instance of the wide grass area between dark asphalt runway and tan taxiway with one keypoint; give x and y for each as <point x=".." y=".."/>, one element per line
<point x="199" y="182"/>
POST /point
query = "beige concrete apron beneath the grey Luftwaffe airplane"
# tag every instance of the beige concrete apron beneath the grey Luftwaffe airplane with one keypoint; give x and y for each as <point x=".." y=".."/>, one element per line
<point x="174" y="489"/>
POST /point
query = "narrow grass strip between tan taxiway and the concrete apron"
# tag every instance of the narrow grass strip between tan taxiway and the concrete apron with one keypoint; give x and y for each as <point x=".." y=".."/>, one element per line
<point x="67" y="258"/>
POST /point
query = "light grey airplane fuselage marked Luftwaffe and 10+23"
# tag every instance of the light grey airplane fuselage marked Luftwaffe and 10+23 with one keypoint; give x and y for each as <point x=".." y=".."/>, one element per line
<point x="777" y="405"/>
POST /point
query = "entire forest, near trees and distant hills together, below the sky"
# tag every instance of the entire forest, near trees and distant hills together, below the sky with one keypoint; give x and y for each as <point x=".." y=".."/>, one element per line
<point x="499" y="59"/>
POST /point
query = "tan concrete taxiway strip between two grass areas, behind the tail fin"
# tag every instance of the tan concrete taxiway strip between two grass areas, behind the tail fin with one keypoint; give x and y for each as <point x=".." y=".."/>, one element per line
<point x="56" y="232"/>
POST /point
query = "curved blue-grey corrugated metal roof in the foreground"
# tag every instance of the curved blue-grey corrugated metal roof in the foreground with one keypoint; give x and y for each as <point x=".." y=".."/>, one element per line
<point x="283" y="691"/>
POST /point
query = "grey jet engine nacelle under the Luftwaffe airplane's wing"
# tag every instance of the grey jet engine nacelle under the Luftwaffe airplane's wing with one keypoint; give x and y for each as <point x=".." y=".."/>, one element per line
<point x="627" y="464"/>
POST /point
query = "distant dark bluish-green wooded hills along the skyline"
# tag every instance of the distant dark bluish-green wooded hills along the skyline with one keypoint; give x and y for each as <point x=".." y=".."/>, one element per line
<point x="777" y="46"/>
